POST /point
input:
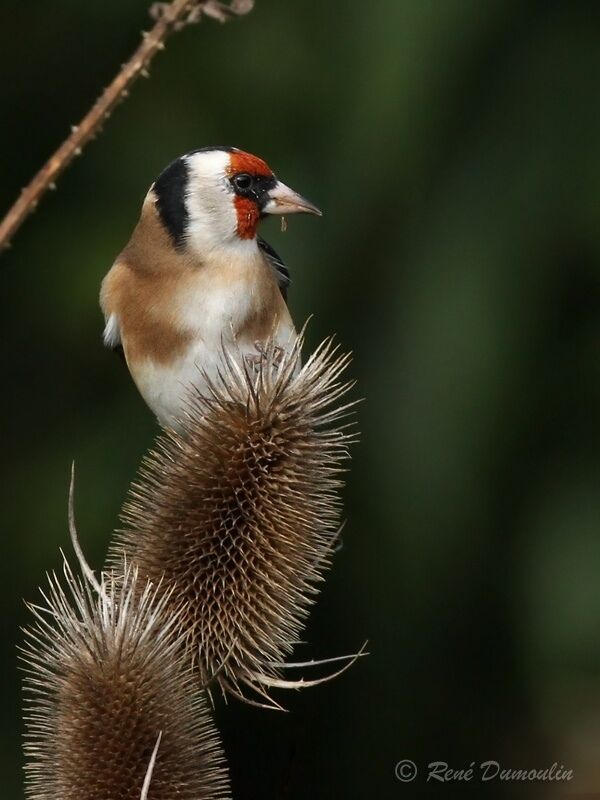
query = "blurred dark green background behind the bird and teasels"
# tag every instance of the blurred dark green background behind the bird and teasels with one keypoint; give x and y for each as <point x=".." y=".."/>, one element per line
<point x="454" y="146"/>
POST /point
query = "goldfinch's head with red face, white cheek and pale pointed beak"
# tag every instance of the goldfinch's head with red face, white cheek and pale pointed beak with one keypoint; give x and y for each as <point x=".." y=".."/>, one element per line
<point x="215" y="197"/>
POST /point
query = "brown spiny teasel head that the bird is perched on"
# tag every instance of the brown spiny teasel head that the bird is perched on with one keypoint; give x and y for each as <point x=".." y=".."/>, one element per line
<point x="238" y="516"/>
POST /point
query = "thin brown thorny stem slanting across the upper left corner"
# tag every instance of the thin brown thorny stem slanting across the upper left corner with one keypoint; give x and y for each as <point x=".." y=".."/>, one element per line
<point x="169" y="17"/>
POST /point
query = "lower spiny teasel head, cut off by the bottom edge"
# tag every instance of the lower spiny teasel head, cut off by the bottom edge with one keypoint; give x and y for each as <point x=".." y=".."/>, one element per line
<point x="113" y="711"/>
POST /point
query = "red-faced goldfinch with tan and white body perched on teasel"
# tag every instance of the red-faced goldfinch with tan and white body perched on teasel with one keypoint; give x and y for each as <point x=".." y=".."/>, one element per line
<point x="196" y="278"/>
